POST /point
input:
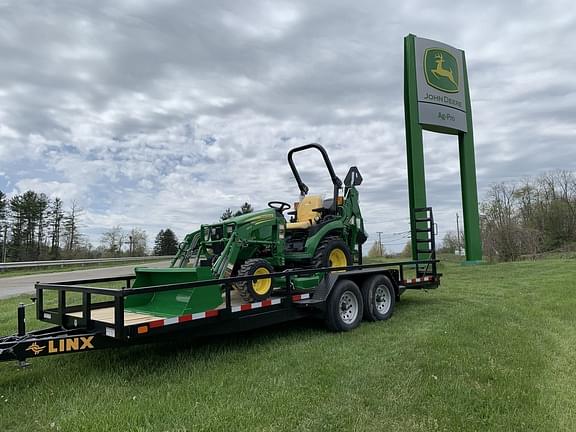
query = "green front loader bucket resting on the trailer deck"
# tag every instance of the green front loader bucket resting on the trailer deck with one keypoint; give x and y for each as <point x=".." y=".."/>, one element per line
<point x="176" y="302"/>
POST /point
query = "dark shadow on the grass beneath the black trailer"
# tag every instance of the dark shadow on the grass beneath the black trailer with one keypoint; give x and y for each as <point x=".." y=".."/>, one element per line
<point x="158" y="356"/>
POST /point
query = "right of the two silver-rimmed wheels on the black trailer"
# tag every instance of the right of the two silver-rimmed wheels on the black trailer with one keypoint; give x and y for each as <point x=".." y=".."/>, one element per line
<point x="379" y="298"/>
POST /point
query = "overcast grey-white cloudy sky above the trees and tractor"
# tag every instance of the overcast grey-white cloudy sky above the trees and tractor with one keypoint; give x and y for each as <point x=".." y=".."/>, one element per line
<point x="163" y="113"/>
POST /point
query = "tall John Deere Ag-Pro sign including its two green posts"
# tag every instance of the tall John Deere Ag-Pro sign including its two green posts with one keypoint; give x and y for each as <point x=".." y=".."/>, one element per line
<point x="436" y="98"/>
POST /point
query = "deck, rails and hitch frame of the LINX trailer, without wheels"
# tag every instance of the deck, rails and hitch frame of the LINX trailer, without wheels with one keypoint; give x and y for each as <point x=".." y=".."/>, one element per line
<point x="103" y="324"/>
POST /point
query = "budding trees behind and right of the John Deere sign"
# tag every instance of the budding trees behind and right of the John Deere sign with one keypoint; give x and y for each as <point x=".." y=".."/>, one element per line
<point x="526" y="218"/>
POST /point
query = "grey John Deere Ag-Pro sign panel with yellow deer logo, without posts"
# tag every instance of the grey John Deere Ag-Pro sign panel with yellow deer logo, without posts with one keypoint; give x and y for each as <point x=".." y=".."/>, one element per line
<point x="440" y="90"/>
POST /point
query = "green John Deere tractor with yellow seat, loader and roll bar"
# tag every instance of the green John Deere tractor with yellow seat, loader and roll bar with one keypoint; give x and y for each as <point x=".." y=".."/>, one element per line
<point x="319" y="233"/>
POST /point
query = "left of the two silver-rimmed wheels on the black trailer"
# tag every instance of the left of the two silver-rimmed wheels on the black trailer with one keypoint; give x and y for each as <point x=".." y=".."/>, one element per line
<point x="344" y="307"/>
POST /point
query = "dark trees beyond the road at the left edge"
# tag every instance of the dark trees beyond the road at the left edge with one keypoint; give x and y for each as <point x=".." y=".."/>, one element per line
<point x="35" y="227"/>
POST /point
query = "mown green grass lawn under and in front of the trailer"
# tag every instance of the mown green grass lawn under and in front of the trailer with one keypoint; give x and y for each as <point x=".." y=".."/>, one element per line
<point x="494" y="349"/>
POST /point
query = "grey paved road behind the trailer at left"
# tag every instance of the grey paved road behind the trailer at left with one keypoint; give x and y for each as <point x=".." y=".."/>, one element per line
<point x="12" y="286"/>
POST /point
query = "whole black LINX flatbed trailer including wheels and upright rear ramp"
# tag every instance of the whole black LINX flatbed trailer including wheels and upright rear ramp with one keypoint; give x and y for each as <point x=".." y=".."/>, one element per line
<point x="343" y="297"/>
